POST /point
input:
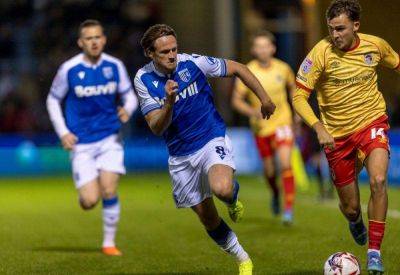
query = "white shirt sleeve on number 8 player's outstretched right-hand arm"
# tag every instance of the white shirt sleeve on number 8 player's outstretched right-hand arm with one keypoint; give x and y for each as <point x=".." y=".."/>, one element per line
<point x="210" y="66"/>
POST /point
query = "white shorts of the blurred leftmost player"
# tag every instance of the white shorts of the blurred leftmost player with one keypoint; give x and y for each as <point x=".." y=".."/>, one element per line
<point x="89" y="158"/>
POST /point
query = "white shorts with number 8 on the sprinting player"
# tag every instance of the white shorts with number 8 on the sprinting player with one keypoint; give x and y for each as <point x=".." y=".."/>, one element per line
<point x="190" y="173"/>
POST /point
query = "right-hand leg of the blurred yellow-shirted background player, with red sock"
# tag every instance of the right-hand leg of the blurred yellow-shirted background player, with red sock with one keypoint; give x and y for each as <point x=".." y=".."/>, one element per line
<point x="284" y="153"/>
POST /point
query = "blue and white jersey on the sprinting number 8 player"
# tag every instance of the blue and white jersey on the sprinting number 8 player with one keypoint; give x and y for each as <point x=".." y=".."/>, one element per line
<point x="195" y="121"/>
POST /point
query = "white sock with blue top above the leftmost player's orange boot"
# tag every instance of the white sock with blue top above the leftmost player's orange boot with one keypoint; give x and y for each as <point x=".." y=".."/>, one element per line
<point x="111" y="211"/>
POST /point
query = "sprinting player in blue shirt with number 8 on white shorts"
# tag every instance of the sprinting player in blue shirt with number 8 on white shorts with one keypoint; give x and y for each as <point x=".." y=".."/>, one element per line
<point x="177" y="102"/>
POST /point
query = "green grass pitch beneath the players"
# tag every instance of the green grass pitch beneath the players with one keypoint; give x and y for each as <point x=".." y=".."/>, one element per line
<point x="43" y="231"/>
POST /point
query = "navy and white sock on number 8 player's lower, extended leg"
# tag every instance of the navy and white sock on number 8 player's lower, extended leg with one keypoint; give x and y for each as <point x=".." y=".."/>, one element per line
<point x="227" y="240"/>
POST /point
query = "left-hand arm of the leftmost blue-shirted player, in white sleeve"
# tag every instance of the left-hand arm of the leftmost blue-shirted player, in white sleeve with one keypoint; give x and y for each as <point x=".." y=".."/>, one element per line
<point x="57" y="93"/>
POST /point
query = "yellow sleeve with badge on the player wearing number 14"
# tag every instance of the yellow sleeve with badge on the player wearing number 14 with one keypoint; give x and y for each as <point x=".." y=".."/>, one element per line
<point x="311" y="69"/>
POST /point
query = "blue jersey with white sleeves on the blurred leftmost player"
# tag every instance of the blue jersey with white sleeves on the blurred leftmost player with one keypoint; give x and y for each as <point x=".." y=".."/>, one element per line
<point x="90" y="93"/>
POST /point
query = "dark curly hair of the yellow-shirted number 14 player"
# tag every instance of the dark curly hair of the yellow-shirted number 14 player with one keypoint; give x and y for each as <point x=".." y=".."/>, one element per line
<point x="351" y="8"/>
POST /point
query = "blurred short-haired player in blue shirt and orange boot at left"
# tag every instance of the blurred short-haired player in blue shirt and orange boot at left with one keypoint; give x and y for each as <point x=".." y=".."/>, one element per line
<point x="88" y="125"/>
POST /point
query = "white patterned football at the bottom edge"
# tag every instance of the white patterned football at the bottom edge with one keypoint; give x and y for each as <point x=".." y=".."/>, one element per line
<point x="342" y="263"/>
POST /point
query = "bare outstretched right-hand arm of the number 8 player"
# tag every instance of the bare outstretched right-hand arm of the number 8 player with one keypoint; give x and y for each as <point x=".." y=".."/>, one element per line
<point x="248" y="78"/>
